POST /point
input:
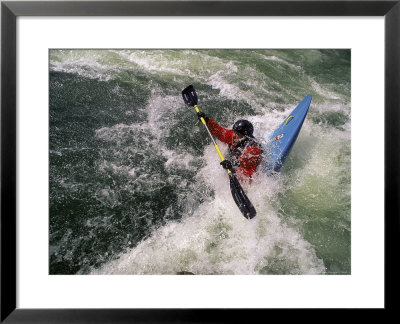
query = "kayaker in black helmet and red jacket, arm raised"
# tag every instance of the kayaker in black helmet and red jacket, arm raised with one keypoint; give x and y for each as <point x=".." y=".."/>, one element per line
<point x="245" y="152"/>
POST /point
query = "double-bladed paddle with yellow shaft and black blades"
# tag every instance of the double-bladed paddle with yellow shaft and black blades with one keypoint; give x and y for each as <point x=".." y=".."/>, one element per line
<point x="246" y="207"/>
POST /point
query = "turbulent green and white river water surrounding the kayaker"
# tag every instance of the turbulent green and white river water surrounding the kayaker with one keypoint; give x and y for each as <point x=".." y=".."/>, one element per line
<point x="135" y="182"/>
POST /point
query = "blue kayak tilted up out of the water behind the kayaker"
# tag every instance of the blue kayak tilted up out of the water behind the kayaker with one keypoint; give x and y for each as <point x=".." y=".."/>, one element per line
<point x="279" y="144"/>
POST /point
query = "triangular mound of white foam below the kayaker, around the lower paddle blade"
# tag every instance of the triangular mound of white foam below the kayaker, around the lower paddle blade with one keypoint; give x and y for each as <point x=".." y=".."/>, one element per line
<point x="217" y="239"/>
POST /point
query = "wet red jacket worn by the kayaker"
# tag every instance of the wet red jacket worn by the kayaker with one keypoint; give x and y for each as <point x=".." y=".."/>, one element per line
<point x="248" y="156"/>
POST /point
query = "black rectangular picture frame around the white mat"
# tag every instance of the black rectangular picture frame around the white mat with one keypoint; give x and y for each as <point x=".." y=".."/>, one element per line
<point x="10" y="10"/>
